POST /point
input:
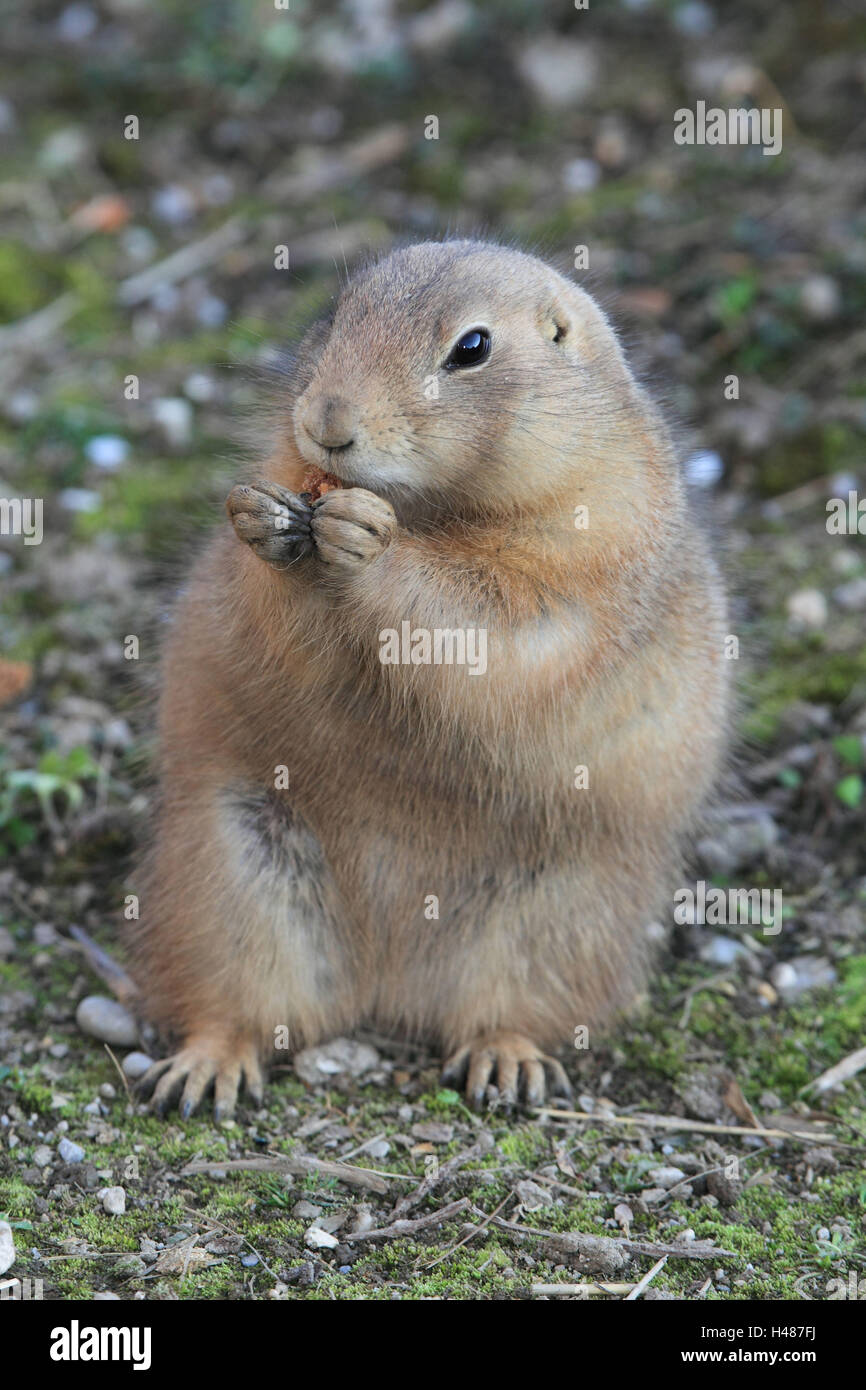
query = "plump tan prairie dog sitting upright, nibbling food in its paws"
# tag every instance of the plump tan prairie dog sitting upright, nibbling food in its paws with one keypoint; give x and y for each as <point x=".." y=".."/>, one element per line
<point x="436" y="865"/>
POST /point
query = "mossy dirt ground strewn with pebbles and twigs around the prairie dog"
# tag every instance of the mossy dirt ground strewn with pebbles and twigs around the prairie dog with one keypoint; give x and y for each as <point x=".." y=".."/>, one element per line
<point x="739" y="284"/>
